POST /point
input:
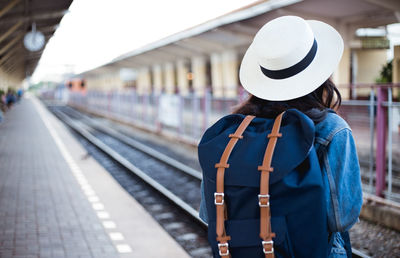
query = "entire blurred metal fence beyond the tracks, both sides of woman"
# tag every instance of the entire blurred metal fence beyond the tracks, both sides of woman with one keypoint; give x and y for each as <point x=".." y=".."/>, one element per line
<point x="375" y="124"/>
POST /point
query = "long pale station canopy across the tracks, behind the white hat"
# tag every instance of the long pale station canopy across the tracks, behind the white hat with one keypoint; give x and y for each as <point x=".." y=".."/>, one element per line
<point x="236" y="30"/>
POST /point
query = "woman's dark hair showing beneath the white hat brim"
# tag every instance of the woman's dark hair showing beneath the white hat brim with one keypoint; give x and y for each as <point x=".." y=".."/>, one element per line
<point x="315" y="104"/>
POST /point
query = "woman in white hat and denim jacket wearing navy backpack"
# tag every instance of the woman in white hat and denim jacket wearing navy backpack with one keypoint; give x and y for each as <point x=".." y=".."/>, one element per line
<point x="281" y="176"/>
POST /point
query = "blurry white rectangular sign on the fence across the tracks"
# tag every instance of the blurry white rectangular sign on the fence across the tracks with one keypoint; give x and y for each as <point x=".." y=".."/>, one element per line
<point x="168" y="110"/>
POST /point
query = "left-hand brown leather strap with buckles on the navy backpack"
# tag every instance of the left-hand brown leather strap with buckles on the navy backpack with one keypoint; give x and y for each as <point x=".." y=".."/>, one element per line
<point x="222" y="238"/>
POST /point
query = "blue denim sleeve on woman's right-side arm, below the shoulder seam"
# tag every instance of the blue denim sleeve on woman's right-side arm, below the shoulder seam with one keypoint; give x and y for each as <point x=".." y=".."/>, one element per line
<point x="343" y="177"/>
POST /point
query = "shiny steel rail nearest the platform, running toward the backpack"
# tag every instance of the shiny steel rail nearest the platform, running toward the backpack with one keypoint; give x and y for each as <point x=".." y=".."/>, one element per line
<point x="132" y="168"/>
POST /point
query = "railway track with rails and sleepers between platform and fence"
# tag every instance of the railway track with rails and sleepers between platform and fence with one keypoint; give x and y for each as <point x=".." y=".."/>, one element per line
<point x="118" y="147"/>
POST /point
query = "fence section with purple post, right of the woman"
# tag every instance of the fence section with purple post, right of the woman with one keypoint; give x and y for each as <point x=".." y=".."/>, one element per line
<point x="376" y="126"/>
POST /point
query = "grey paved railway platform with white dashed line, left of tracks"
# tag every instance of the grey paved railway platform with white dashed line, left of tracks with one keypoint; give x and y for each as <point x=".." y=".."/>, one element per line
<point x="57" y="201"/>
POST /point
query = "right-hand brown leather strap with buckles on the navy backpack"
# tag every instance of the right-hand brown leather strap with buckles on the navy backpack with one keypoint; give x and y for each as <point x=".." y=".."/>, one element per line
<point x="263" y="198"/>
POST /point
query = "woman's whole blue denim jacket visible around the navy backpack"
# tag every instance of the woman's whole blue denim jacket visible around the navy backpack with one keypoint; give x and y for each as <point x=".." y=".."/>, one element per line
<point x="337" y="155"/>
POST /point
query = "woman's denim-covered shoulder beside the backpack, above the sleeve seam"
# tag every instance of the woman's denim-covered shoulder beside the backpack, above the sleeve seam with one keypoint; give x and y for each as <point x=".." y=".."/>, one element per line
<point x="330" y="126"/>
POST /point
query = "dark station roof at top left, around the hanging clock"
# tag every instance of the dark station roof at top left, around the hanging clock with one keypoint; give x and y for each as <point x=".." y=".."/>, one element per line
<point x="19" y="17"/>
